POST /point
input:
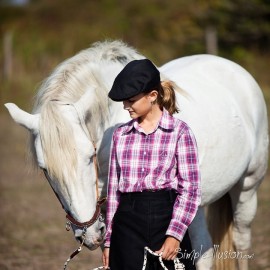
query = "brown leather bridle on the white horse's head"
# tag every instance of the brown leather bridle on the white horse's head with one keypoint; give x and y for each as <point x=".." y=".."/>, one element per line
<point x="100" y="200"/>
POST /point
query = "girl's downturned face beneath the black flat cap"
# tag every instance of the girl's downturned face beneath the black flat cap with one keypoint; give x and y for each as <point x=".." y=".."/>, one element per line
<point x="139" y="105"/>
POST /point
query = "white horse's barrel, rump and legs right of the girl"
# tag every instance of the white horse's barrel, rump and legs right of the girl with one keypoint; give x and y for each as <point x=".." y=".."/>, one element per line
<point x="225" y="108"/>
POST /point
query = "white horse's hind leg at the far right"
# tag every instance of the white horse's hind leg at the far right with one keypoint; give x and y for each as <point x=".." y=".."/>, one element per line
<point x="244" y="204"/>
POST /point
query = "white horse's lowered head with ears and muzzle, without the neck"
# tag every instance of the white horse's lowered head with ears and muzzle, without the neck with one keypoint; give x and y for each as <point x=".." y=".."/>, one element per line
<point x="68" y="154"/>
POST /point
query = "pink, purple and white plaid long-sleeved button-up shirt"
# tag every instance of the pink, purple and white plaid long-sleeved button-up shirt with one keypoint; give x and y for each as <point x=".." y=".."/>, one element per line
<point x="164" y="159"/>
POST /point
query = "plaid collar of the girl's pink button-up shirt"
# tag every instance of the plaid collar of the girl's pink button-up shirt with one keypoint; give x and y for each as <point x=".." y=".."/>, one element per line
<point x="166" y="122"/>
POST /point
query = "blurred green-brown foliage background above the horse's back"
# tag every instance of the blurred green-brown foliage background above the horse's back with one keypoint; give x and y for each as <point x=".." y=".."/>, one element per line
<point x="46" y="32"/>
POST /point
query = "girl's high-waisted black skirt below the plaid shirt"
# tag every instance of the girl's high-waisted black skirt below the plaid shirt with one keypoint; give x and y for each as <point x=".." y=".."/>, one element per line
<point x="142" y="219"/>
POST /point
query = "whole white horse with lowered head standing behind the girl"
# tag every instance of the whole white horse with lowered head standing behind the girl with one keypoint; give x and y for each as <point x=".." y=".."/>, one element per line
<point x="73" y="120"/>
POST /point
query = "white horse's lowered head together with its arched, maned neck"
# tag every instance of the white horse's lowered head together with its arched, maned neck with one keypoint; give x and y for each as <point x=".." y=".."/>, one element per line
<point x="71" y="128"/>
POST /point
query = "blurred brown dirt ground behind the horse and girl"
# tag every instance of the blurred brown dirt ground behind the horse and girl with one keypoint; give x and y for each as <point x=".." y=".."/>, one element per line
<point x="32" y="232"/>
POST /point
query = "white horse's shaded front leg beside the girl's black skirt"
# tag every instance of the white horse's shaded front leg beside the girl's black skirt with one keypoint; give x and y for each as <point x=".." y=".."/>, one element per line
<point x="201" y="242"/>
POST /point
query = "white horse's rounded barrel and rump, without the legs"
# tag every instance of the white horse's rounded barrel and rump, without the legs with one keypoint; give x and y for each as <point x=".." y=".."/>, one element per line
<point x="225" y="109"/>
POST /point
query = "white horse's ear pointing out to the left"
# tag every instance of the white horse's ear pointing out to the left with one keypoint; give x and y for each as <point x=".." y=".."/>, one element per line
<point x="27" y="120"/>
